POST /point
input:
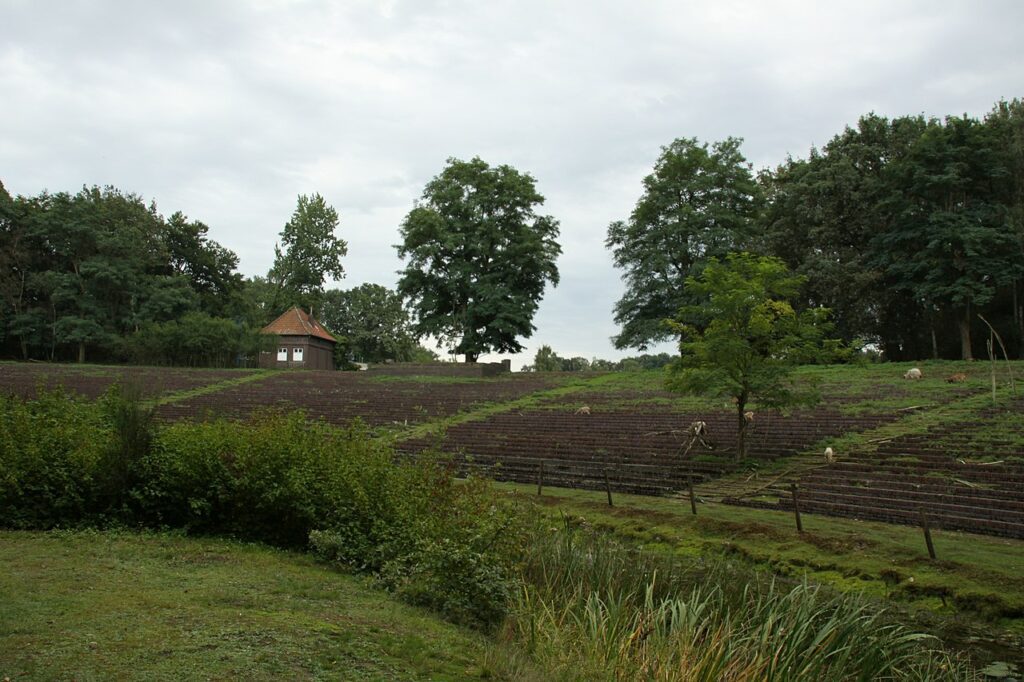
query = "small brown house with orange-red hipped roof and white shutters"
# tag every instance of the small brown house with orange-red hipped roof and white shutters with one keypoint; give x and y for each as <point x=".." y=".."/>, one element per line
<point x="302" y="344"/>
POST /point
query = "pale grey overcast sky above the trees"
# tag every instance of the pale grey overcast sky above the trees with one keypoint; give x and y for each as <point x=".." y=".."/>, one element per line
<point x="229" y="111"/>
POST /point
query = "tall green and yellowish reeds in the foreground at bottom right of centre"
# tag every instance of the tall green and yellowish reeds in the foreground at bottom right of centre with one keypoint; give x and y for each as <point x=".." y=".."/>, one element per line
<point x="591" y="609"/>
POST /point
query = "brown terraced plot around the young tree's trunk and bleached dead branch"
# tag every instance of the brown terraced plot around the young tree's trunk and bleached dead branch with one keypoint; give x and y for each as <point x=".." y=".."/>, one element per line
<point x="641" y="453"/>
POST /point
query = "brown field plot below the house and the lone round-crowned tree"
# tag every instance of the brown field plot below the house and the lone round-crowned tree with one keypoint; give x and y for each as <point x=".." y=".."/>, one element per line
<point x="342" y="397"/>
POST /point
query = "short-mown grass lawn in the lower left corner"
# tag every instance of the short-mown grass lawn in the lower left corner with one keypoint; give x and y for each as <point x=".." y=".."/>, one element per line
<point x="103" y="606"/>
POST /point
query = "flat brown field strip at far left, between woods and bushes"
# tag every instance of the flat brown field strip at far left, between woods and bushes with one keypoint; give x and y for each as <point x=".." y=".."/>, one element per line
<point x="26" y="380"/>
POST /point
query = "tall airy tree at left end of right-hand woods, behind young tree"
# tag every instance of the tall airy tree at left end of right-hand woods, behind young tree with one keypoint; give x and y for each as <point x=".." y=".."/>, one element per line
<point x="699" y="203"/>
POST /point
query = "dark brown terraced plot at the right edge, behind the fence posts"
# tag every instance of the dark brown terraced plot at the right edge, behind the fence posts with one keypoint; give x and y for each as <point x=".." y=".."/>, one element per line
<point x="960" y="485"/>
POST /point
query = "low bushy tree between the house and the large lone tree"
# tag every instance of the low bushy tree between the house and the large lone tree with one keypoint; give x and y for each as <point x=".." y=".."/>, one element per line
<point x="370" y="323"/>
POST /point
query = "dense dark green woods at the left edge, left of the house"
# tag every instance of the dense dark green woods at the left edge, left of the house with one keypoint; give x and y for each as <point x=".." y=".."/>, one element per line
<point x="81" y="275"/>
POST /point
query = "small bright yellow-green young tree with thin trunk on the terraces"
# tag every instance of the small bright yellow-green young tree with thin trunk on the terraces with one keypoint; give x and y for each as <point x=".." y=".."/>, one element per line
<point x="744" y="339"/>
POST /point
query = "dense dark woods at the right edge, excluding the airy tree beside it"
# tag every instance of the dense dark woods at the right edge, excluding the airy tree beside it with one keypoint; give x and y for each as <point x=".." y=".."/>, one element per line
<point x="908" y="229"/>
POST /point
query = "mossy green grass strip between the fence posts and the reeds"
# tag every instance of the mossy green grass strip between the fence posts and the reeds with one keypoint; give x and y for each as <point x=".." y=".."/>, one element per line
<point x="974" y="574"/>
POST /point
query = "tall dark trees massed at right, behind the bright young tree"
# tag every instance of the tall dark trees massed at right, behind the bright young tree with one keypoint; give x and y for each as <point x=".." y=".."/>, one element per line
<point x="907" y="229"/>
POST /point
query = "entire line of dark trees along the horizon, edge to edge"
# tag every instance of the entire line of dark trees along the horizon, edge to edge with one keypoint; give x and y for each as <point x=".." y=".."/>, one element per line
<point x="910" y="230"/>
